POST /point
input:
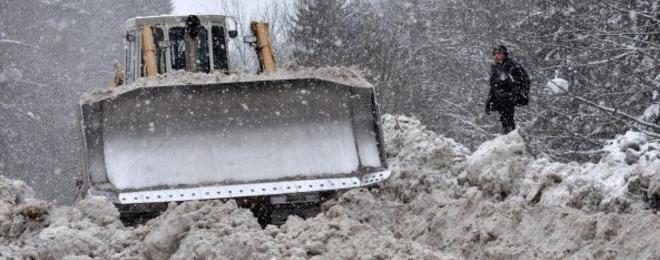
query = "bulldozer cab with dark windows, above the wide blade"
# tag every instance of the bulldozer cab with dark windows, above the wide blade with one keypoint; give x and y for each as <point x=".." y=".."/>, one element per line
<point x="190" y="43"/>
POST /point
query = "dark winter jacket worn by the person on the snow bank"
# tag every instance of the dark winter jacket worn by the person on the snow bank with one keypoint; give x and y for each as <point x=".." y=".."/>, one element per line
<point x="509" y="86"/>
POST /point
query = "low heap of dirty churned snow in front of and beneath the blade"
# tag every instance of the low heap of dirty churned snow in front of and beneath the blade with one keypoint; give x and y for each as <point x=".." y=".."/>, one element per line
<point x="203" y="230"/>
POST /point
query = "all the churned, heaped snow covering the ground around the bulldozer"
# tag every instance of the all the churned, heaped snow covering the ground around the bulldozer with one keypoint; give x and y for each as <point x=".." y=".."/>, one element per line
<point x="442" y="202"/>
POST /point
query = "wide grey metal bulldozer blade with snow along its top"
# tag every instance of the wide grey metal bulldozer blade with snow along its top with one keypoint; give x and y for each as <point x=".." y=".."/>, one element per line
<point x="223" y="140"/>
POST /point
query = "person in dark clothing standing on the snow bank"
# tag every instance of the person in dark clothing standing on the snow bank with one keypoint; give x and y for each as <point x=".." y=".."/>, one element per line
<point x="509" y="87"/>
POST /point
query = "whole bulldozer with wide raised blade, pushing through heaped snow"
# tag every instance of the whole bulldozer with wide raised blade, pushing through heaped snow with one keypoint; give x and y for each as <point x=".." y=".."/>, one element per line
<point x="276" y="142"/>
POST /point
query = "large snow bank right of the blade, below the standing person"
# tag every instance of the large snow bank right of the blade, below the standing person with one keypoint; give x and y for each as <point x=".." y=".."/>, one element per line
<point x="480" y="206"/>
